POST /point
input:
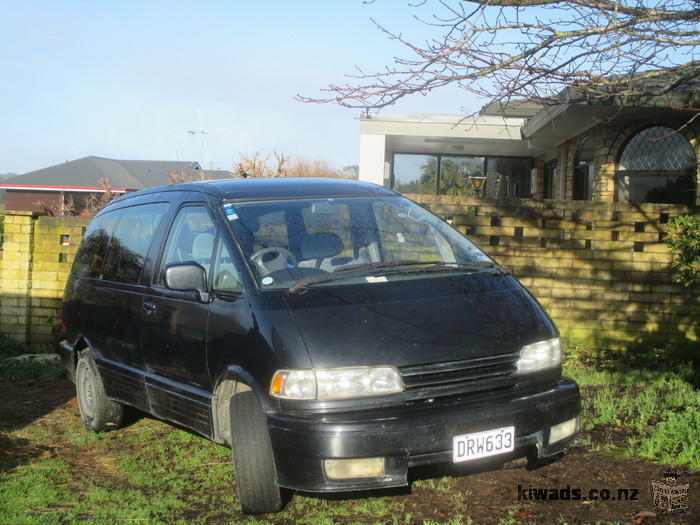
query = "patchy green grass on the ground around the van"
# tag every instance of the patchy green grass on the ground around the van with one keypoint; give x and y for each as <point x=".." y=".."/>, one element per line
<point x="152" y="472"/>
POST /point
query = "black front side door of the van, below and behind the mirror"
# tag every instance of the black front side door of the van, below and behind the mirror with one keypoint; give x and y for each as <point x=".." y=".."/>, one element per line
<point x="175" y="326"/>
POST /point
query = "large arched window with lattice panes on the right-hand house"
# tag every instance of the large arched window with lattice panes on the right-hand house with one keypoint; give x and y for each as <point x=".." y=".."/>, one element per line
<point x="657" y="165"/>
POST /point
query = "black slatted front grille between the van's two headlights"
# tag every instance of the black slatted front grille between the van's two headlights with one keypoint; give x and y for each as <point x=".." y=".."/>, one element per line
<point x="460" y="373"/>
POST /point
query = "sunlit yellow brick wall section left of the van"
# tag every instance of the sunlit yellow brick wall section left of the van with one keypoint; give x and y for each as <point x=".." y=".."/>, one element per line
<point x="36" y="258"/>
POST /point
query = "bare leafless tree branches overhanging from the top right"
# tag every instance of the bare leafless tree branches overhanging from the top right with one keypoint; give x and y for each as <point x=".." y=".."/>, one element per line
<point x="533" y="49"/>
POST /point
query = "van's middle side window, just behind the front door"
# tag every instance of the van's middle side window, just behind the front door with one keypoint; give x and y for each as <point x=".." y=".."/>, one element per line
<point x="131" y="240"/>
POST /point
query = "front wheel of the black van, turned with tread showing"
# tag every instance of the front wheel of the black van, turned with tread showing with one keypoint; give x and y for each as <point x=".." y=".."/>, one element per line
<point x="253" y="459"/>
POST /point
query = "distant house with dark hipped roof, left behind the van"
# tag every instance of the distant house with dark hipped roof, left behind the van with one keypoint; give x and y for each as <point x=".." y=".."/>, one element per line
<point x="75" y="181"/>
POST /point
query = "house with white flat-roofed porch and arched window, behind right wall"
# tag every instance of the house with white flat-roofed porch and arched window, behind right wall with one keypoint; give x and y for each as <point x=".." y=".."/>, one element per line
<point x="640" y="149"/>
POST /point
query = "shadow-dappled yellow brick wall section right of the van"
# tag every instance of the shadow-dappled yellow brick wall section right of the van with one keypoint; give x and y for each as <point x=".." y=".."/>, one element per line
<point x="598" y="268"/>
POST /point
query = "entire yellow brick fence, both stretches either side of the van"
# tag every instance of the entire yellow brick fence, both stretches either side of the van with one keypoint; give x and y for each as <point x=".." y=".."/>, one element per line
<point x="599" y="269"/>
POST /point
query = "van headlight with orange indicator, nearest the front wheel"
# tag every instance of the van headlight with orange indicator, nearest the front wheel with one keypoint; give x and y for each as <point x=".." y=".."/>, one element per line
<point x="336" y="383"/>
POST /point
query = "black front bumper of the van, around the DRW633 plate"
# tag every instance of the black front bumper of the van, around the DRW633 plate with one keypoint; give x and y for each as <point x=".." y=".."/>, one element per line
<point x="412" y="436"/>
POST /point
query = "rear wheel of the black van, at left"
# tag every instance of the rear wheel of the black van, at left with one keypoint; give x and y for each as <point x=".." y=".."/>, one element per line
<point x="97" y="410"/>
